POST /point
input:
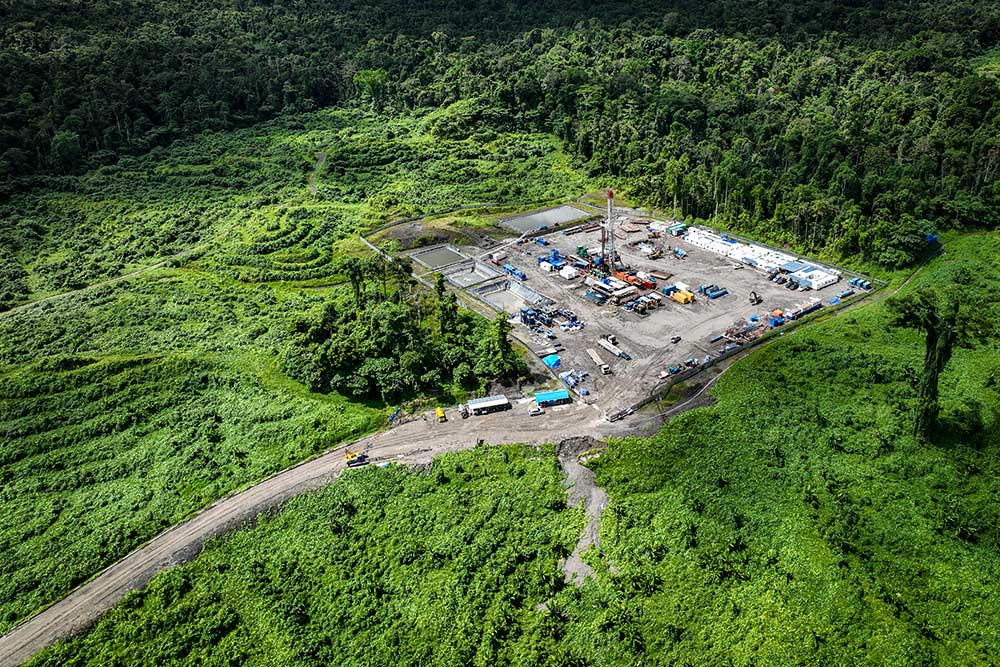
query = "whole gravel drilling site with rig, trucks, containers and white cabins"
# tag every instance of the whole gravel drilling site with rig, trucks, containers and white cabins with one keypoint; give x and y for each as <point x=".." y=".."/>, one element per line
<point x="616" y="309"/>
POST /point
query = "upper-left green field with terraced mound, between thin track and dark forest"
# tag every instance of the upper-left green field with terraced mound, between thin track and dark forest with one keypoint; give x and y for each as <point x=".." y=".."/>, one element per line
<point x="249" y="190"/>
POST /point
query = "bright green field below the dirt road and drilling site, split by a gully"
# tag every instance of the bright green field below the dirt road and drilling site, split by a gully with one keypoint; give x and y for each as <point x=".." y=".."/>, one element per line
<point x="801" y="524"/>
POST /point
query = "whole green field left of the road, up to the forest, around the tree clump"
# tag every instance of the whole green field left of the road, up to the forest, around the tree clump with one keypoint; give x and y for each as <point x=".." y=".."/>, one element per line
<point x="126" y="408"/>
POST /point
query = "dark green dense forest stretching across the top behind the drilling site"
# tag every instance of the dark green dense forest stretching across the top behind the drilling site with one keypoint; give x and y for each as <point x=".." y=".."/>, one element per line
<point x="848" y="127"/>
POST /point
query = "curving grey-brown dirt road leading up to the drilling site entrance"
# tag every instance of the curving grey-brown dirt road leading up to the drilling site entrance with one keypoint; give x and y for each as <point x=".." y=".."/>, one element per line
<point x="415" y="442"/>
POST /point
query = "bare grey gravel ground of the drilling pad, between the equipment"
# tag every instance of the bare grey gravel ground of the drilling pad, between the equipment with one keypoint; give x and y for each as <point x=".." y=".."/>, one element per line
<point x="647" y="338"/>
